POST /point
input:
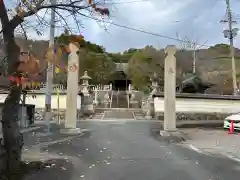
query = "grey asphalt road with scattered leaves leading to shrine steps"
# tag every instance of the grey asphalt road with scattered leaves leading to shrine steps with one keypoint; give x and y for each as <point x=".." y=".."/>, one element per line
<point x="130" y="151"/>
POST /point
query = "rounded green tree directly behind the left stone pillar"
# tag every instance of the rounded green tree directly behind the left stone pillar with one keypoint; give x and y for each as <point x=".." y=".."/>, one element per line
<point x="93" y="59"/>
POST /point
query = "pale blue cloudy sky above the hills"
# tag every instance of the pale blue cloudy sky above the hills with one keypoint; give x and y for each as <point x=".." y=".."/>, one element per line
<point x="194" y="20"/>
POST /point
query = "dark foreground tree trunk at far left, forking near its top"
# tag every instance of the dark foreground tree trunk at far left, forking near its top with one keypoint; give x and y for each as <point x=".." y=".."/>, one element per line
<point x="12" y="137"/>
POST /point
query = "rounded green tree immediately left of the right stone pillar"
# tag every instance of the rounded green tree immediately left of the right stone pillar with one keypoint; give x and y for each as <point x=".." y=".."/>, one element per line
<point x="143" y="65"/>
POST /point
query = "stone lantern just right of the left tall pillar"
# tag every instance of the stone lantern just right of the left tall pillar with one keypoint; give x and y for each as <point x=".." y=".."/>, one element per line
<point x="87" y="99"/>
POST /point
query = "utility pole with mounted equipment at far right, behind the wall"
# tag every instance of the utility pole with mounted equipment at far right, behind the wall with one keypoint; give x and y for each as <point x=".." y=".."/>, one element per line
<point x="231" y="33"/>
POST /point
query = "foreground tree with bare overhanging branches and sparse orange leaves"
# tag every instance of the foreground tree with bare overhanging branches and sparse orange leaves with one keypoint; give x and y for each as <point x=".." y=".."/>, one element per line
<point x="16" y="68"/>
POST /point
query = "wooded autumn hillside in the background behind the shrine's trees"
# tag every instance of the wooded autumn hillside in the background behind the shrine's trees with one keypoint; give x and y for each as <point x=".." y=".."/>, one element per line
<point x="213" y="64"/>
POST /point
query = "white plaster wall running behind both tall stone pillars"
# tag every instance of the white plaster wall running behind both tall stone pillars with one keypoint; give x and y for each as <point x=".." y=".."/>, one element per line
<point x="182" y="104"/>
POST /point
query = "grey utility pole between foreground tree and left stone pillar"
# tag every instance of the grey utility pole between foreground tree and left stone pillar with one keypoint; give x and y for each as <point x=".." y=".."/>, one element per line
<point x="49" y="80"/>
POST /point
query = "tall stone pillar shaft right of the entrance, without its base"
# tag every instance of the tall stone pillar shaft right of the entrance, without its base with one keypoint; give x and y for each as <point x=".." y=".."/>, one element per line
<point x="170" y="89"/>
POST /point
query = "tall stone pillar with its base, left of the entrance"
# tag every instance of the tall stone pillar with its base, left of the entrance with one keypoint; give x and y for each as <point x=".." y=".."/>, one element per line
<point x="72" y="91"/>
